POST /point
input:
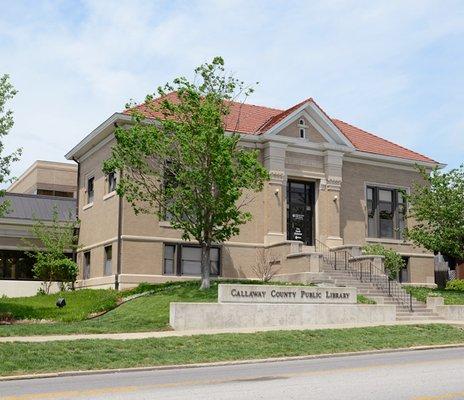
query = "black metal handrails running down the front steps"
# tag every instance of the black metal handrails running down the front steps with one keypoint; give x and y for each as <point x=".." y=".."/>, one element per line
<point x="365" y="271"/>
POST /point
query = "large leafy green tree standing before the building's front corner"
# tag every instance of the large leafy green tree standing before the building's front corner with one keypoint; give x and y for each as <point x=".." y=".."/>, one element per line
<point x="184" y="166"/>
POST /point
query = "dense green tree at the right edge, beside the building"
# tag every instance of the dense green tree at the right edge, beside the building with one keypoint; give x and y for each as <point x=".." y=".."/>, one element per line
<point x="437" y="209"/>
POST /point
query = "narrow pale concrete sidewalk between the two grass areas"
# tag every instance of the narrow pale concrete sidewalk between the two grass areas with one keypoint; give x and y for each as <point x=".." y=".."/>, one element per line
<point x="163" y="334"/>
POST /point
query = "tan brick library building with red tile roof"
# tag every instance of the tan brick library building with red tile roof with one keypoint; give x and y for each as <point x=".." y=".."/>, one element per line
<point x="330" y="182"/>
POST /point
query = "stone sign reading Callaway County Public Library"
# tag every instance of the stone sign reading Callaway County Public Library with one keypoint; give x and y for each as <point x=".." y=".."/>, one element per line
<point x="236" y="293"/>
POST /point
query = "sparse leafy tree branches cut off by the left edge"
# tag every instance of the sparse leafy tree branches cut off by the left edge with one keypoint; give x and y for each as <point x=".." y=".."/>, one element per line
<point x="7" y="92"/>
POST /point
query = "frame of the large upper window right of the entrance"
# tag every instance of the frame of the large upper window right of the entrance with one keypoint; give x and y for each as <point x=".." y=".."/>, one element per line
<point x="395" y="191"/>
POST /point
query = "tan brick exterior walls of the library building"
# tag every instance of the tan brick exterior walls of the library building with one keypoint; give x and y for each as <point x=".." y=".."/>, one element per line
<point x="340" y="215"/>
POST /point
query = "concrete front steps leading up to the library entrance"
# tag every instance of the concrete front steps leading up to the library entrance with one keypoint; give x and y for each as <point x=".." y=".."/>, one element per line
<point x="341" y="277"/>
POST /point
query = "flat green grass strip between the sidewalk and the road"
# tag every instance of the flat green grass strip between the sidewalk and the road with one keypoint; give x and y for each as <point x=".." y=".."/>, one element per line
<point x="21" y="358"/>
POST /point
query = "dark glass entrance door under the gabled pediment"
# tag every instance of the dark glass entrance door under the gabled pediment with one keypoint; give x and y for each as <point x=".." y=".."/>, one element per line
<point x="300" y="211"/>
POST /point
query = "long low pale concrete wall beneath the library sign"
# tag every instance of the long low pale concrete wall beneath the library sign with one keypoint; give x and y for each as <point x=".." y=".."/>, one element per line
<point x="186" y="316"/>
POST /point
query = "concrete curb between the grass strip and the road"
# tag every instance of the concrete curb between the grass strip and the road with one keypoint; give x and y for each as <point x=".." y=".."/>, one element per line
<point x="227" y="363"/>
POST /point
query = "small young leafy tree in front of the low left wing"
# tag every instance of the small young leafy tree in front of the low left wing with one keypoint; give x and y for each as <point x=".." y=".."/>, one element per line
<point x="53" y="241"/>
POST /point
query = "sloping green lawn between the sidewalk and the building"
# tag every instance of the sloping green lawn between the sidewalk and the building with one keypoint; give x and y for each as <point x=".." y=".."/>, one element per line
<point x="147" y="313"/>
